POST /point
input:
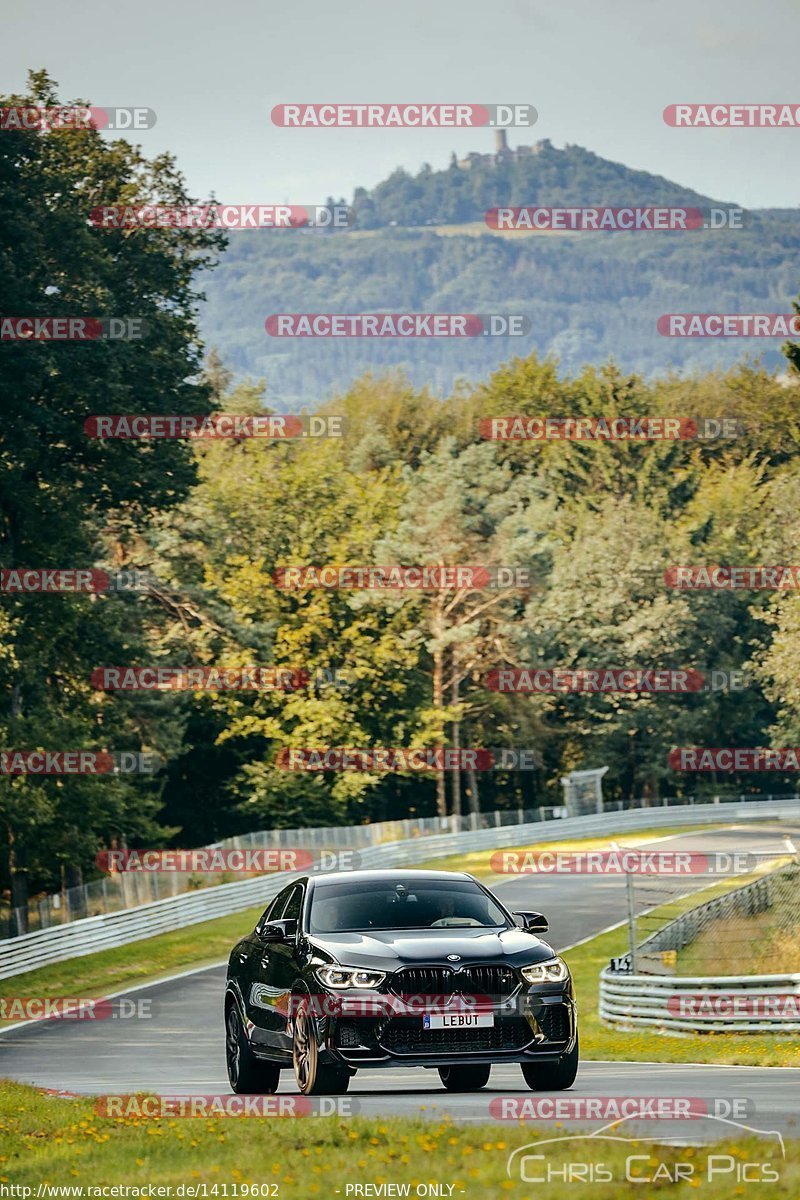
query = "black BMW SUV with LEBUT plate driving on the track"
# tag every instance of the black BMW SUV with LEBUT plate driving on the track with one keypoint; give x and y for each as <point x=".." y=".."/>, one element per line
<point x="396" y="969"/>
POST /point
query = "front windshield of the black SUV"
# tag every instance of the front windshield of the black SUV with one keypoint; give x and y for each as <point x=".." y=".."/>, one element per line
<point x="350" y="908"/>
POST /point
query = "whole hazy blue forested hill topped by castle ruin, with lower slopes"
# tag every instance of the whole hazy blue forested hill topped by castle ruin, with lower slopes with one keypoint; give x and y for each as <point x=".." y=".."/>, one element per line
<point x="422" y="244"/>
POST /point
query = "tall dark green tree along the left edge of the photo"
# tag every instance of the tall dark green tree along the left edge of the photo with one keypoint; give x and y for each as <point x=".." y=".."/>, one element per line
<point x="68" y="500"/>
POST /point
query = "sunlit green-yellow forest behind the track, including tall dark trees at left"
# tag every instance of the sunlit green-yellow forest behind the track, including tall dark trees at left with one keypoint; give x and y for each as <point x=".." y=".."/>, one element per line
<point x="412" y="482"/>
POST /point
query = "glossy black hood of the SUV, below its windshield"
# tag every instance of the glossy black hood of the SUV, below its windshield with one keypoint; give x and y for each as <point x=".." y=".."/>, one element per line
<point x="390" y="950"/>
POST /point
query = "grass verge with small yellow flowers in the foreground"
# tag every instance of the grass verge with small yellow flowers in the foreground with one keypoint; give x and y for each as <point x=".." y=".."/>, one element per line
<point x="59" y="1142"/>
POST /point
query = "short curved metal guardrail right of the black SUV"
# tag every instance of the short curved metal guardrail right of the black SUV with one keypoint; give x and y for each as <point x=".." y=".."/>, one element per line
<point x="654" y="1001"/>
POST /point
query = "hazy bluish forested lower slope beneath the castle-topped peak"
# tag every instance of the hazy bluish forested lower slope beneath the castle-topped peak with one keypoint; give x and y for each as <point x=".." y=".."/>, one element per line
<point x="588" y="297"/>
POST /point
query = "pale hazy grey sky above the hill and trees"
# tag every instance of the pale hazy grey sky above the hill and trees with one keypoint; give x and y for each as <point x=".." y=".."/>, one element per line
<point x="599" y="75"/>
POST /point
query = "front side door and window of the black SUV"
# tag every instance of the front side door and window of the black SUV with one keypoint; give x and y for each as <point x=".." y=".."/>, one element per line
<point x="273" y="969"/>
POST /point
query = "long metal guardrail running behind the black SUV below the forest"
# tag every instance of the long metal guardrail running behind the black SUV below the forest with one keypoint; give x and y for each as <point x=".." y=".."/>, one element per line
<point x="109" y="931"/>
